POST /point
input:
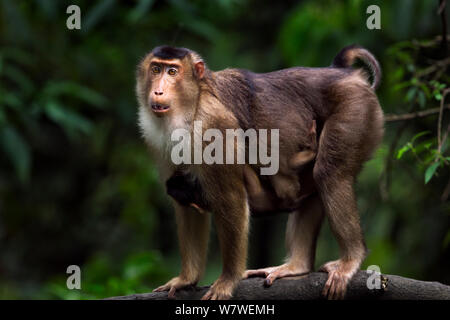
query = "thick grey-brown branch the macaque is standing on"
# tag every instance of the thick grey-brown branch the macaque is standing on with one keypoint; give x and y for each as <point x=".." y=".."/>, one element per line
<point x="309" y="287"/>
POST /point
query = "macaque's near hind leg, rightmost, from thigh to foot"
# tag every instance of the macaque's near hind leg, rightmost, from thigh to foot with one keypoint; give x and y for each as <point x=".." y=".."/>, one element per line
<point x="339" y="160"/>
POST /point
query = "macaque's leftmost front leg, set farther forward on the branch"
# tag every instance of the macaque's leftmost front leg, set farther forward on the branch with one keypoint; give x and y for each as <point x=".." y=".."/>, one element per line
<point x="193" y="234"/>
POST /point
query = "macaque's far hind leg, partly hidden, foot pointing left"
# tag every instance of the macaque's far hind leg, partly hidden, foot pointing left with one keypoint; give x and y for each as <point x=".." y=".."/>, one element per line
<point x="303" y="227"/>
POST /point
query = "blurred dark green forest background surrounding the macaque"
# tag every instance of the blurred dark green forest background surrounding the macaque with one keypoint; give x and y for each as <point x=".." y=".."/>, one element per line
<point x="77" y="185"/>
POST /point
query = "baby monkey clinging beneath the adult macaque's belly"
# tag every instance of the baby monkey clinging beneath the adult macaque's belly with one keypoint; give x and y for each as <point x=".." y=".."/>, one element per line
<point x="280" y="192"/>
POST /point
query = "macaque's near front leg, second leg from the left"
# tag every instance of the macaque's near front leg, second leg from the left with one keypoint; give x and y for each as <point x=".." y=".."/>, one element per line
<point x="231" y="220"/>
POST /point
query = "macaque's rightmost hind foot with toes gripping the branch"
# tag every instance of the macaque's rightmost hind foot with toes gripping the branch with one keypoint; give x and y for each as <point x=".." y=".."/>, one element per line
<point x="340" y="273"/>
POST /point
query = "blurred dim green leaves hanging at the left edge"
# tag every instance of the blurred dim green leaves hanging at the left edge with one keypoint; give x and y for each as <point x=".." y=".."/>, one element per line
<point x="23" y="105"/>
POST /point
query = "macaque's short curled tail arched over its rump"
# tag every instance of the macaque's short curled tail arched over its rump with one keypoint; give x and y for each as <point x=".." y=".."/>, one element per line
<point x="350" y="54"/>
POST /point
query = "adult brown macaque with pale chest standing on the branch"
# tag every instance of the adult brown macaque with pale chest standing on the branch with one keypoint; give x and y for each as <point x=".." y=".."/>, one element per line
<point x="175" y="88"/>
